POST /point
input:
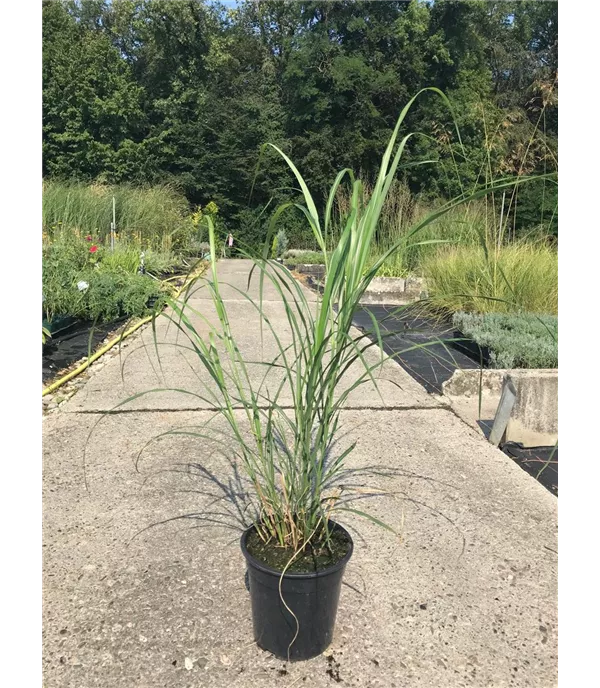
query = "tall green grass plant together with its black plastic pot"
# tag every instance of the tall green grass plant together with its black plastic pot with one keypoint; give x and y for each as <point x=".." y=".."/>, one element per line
<point x="295" y="547"/>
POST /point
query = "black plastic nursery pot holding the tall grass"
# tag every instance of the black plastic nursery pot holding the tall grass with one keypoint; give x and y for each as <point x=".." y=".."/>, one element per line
<point x="312" y="597"/>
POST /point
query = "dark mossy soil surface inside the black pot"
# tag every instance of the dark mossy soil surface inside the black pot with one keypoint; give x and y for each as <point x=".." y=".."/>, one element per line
<point x="319" y="554"/>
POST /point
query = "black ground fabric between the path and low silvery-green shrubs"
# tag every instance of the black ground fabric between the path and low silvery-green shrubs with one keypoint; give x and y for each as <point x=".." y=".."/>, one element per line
<point x="418" y="342"/>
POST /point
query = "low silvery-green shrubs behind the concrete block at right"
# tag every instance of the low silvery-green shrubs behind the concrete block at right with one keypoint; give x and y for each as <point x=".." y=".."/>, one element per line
<point x="514" y="341"/>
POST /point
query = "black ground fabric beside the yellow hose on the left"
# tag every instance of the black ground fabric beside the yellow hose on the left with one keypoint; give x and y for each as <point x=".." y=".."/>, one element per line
<point x="72" y="345"/>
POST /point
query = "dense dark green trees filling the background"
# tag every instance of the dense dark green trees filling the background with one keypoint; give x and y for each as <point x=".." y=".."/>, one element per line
<point x="155" y="91"/>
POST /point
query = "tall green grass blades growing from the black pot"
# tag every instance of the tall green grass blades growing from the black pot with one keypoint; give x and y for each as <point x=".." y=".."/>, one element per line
<point x="283" y="430"/>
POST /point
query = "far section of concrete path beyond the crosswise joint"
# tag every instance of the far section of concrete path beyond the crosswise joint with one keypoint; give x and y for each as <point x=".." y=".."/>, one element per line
<point x="138" y="369"/>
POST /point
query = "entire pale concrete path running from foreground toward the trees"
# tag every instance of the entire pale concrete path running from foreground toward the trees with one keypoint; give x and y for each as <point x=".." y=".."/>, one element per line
<point x="468" y="598"/>
